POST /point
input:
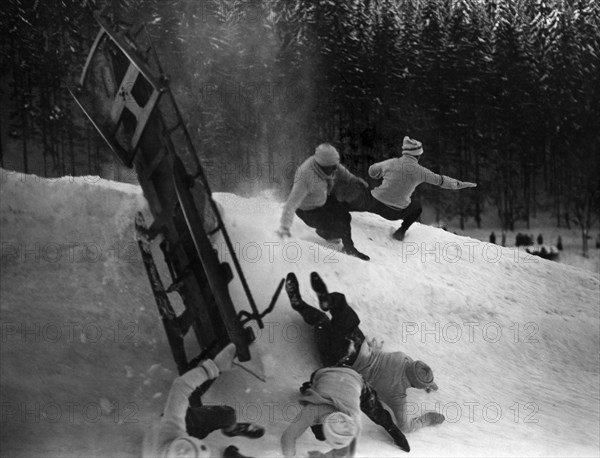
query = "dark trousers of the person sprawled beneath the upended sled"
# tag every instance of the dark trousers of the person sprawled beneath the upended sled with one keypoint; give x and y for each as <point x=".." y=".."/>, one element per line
<point x="202" y="420"/>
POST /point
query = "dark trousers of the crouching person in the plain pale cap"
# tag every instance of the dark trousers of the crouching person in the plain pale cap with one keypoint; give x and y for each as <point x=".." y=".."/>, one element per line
<point x="332" y="218"/>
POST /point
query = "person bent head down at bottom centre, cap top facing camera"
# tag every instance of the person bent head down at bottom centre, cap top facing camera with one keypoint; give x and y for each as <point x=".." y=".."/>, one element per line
<point x="331" y="406"/>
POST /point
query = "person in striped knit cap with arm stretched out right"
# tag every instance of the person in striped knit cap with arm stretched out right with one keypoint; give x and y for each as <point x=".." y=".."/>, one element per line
<point x="401" y="175"/>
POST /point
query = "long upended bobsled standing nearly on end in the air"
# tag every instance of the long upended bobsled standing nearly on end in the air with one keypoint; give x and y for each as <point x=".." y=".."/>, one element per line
<point x="173" y="194"/>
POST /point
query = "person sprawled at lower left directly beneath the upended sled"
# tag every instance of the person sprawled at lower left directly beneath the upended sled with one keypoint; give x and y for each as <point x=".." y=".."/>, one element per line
<point x="185" y="421"/>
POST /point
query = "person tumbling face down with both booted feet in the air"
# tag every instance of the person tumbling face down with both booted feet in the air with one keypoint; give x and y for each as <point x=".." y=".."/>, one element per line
<point x="341" y="343"/>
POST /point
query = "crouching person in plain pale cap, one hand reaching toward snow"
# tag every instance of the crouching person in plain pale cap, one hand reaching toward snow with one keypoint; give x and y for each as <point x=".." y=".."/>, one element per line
<point x="311" y="199"/>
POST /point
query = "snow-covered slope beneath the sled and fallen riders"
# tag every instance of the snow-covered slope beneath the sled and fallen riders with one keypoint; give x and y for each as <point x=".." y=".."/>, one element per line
<point x="513" y="340"/>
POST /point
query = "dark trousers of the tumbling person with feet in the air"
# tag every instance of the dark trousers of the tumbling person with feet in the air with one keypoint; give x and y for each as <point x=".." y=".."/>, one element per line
<point x="333" y="336"/>
